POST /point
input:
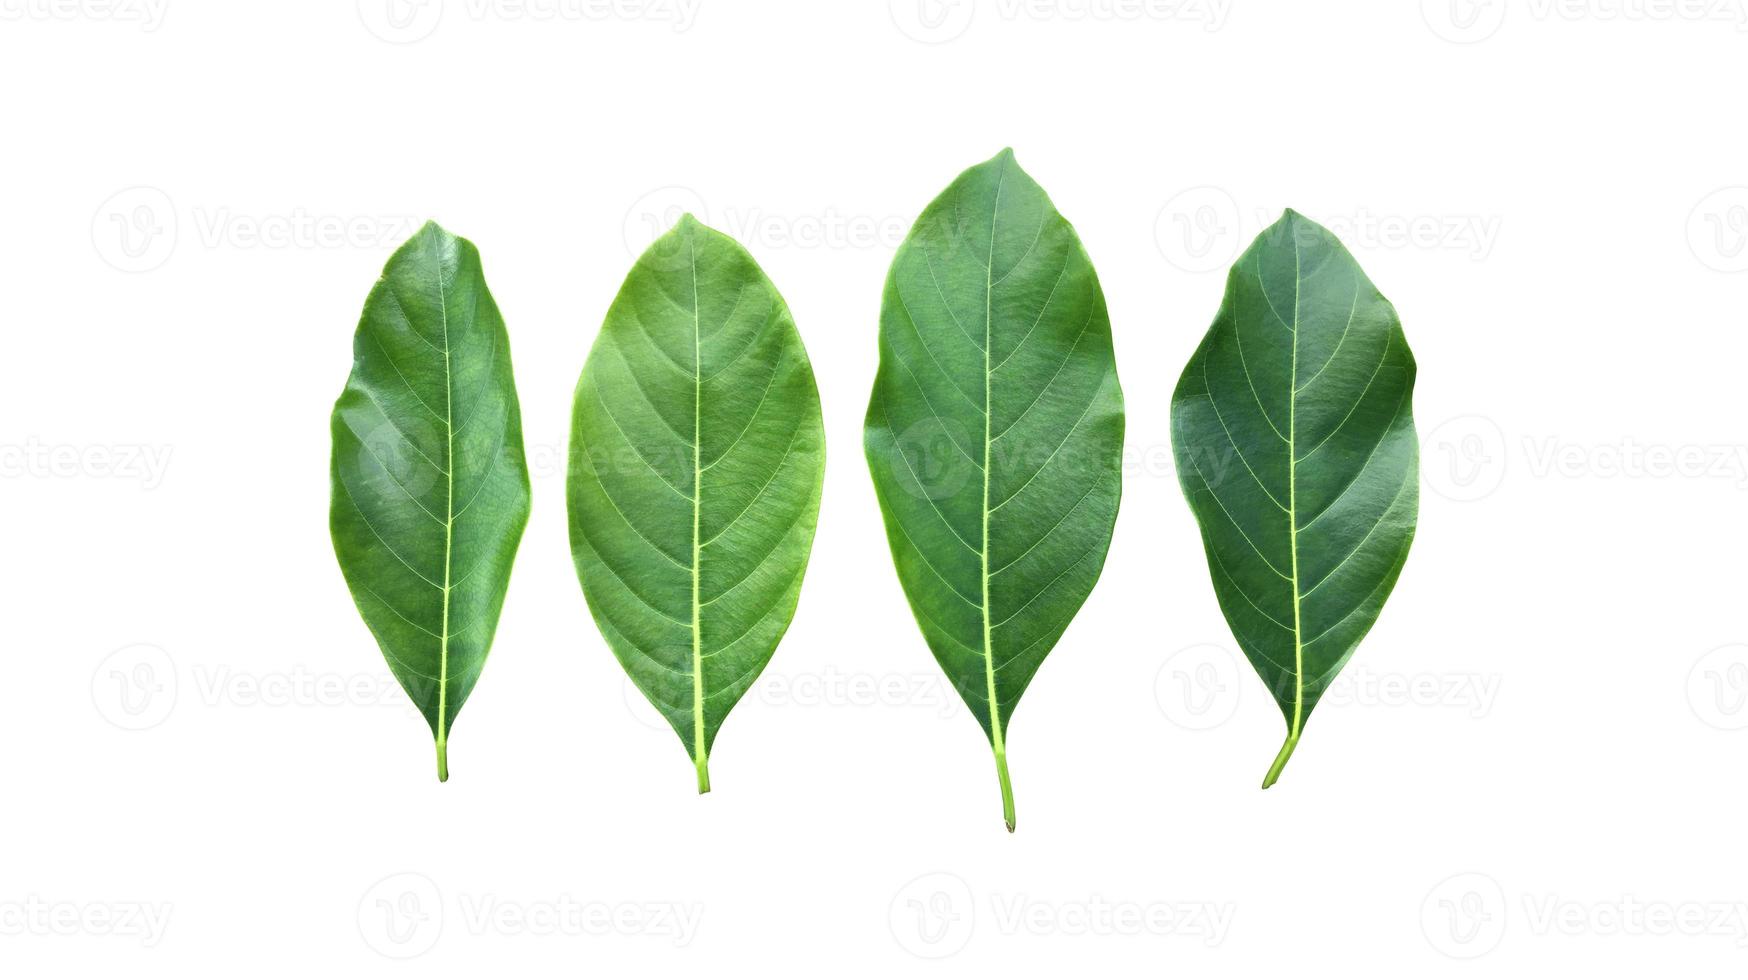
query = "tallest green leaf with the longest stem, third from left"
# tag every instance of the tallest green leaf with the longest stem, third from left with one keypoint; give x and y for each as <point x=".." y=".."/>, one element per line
<point x="995" y="434"/>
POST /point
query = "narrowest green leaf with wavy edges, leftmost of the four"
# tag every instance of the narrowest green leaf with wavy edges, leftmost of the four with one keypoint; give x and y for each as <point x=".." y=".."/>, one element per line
<point x="431" y="488"/>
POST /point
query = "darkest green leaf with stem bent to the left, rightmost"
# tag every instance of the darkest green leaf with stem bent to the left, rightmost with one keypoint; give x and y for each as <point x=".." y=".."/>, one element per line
<point x="1296" y="448"/>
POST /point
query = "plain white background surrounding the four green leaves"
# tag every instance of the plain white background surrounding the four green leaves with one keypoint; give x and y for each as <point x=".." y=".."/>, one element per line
<point x="195" y="719"/>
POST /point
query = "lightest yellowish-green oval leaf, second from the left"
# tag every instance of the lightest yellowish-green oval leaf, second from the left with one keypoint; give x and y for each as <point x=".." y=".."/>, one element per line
<point x="697" y="464"/>
